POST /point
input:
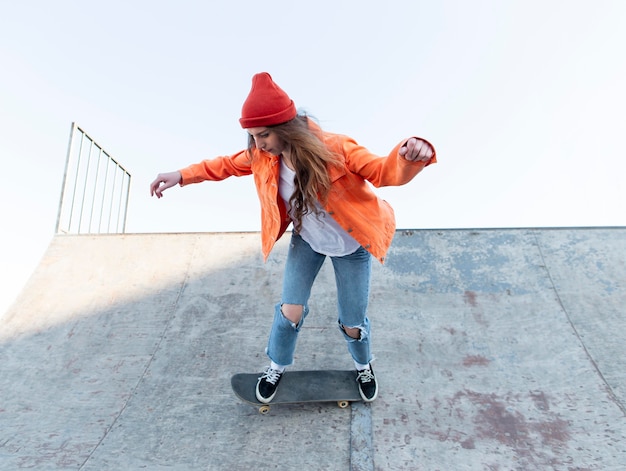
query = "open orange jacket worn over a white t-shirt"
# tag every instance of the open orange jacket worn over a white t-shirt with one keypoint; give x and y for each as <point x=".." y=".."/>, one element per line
<point x="351" y="202"/>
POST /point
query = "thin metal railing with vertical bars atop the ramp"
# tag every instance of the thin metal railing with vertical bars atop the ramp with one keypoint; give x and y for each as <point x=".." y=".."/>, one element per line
<point x="95" y="190"/>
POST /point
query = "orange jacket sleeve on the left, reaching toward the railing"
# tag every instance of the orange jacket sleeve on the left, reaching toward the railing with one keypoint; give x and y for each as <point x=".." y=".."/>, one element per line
<point x="217" y="169"/>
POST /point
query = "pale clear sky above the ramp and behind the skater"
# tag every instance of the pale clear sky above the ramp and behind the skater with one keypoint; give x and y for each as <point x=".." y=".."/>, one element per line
<point x="523" y="99"/>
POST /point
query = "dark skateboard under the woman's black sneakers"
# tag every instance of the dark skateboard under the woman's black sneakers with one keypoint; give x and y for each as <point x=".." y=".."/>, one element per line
<point x="298" y="387"/>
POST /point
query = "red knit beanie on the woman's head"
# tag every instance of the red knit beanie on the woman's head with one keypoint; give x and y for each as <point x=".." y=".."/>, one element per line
<point x="267" y="104"/>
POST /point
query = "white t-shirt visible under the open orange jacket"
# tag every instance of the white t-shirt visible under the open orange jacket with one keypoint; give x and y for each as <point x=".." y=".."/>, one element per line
<point x="321" y="231"/>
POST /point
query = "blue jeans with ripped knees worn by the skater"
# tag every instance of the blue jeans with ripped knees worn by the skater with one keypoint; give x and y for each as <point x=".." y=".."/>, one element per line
<point x="352" y="277"/>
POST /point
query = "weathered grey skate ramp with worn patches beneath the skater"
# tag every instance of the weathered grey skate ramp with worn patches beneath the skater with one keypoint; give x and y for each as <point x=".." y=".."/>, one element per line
<point x="496" y="349"/>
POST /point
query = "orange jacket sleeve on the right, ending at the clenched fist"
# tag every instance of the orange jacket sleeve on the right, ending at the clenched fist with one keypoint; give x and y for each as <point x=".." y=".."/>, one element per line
<point x="392" y="170"/>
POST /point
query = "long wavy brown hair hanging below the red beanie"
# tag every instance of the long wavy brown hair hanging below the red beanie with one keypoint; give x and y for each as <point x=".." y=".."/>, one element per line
<point x="311" y="160"/>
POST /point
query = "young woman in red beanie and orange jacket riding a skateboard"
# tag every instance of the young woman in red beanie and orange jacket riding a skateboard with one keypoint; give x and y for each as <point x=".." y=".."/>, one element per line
<point x="317" y="181"/>
